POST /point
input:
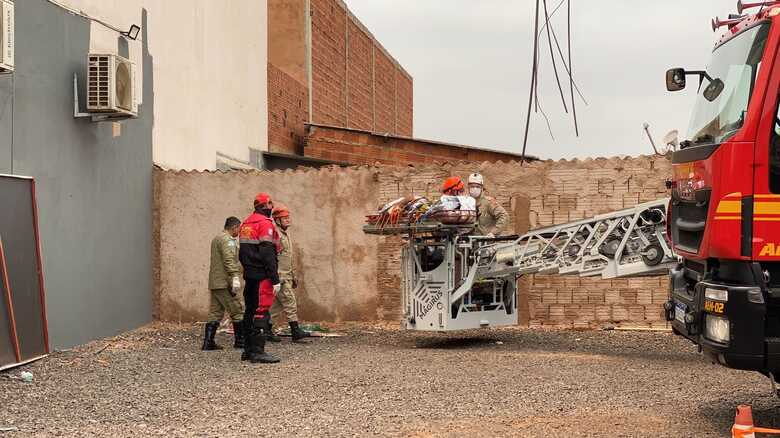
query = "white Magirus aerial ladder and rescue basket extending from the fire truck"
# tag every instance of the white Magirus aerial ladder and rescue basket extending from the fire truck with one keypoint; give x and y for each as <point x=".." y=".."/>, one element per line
<point x="454" y="280"/>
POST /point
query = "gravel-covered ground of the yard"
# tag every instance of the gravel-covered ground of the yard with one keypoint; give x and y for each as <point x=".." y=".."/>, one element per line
<point x="376" y="381"/>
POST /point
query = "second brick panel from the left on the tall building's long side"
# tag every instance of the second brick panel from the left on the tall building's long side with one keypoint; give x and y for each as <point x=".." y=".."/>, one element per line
<point x="360" y="90"/>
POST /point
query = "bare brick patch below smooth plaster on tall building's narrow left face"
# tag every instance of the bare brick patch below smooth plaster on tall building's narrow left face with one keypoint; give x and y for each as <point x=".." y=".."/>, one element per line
<point x="288" y="111"/>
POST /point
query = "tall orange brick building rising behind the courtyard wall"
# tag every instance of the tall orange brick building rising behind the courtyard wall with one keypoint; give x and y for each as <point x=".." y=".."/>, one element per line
<point x="355" y="82"/>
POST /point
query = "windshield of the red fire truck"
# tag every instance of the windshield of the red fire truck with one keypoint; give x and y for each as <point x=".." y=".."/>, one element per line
<point x="736" y="63"/>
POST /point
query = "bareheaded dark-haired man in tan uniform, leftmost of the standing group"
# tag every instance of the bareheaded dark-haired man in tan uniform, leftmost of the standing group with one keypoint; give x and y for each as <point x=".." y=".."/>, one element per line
<point x="224" y="284"/>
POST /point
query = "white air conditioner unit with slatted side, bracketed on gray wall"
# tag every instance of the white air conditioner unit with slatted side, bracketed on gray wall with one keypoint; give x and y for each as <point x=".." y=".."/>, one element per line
<point x="111" y="85"/>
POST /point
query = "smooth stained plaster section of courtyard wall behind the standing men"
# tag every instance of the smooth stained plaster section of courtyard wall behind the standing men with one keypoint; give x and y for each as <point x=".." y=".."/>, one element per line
<point x="335" y="261"/>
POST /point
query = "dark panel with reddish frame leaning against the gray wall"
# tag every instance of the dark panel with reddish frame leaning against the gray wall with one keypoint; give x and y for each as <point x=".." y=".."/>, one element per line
<point x="18" y="233"/>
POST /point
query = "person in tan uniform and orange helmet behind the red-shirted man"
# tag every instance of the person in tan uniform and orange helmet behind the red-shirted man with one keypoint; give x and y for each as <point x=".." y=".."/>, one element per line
<point x="285" y="301"/>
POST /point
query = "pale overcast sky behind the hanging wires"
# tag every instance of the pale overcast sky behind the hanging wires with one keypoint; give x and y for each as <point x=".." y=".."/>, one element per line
<point x="471" y="63"/>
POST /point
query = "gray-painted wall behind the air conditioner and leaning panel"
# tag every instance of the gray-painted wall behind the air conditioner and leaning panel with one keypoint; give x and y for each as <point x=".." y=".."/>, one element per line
<point x="94" y="189"/>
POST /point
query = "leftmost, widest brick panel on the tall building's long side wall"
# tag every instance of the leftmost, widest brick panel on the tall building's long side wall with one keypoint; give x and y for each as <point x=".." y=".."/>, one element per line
<point x="329" y="71"/>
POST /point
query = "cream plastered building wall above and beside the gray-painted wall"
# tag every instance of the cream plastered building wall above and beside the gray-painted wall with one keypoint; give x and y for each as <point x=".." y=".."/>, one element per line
<point x="197" y="44"/>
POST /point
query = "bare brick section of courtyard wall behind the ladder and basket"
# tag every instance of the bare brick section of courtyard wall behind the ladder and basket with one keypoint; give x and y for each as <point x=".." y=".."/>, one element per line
<point x="555" y="192"/>
